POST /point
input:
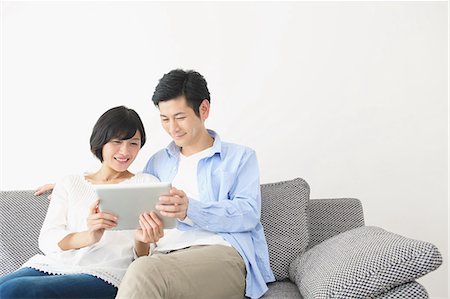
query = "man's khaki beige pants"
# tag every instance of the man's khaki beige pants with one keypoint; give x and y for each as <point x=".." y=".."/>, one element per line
<point x="210" y="271"/>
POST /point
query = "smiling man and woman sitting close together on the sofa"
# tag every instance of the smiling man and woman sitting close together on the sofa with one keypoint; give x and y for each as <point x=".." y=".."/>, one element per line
<point x="218" y="249"/>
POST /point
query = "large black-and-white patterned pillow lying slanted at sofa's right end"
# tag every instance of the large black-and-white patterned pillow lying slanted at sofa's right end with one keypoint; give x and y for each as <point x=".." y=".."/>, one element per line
<point x="362" y="262"/>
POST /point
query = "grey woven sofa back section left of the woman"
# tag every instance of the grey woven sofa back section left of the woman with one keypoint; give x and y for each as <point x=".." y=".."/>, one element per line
<point x="21" y="217"/>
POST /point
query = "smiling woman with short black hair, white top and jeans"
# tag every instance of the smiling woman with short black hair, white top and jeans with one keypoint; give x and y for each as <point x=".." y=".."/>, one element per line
<point x="83" y="258"/>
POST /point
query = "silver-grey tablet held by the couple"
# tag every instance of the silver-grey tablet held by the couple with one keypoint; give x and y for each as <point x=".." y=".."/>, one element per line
<point x="128" y="201"/>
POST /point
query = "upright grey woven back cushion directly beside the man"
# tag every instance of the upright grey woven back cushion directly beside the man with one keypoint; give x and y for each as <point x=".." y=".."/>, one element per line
<point x="284" y="218"/>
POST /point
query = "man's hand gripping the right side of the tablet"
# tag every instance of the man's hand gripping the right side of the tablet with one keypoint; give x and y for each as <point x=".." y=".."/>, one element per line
<point x="173" y="205"/>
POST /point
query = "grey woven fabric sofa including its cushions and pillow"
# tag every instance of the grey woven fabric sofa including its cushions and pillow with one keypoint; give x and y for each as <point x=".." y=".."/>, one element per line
<point x="318" y="248"/>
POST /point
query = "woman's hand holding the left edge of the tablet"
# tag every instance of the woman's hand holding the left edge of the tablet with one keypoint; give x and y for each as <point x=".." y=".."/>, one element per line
<point x="98" y="221"/>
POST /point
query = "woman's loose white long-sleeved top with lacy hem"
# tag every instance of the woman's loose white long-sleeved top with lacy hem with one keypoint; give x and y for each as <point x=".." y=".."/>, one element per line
<point x="67" y="213"/>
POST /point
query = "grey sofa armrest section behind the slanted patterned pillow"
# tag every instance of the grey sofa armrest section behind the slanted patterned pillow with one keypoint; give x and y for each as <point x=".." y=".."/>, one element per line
<point x="330" y="217"/>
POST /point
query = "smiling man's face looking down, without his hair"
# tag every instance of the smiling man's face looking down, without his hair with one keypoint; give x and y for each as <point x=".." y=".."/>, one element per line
<point x="181" y="122"/>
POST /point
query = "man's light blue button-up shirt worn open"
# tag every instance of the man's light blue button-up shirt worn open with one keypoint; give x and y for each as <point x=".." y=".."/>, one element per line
<point x="229" y="205"/>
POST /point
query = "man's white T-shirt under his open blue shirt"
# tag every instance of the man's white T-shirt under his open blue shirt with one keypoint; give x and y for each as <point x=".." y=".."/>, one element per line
<point x="186" y="180"/>
